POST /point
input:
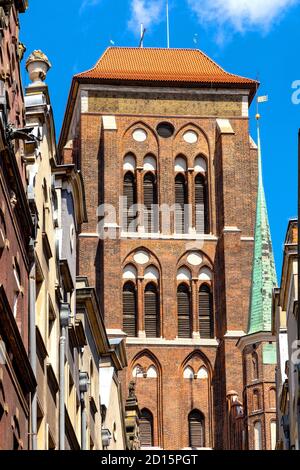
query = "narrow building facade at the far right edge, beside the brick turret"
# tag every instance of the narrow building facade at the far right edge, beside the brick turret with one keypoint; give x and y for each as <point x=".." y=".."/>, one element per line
<point x="286" y="330"/>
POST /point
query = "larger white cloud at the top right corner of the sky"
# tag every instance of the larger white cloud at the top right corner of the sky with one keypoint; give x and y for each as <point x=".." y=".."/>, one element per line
<point x="241" y="14"/>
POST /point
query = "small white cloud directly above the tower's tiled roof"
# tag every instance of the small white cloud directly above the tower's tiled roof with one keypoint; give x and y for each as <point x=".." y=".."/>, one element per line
<point x="147" y="12"/>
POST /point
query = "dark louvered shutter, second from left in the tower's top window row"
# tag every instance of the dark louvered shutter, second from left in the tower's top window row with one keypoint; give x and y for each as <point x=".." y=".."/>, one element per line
<point x="150" y="201"/>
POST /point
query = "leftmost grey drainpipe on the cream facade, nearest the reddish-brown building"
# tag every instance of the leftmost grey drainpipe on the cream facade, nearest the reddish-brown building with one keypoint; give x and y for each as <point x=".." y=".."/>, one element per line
<point x="32" y="345"/>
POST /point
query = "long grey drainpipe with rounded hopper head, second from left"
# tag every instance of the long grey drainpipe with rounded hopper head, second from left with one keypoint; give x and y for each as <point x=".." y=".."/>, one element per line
<point x="64" y="323"/>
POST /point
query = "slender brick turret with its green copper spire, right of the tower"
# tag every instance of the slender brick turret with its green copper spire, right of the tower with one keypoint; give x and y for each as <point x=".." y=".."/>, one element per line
<point x="258" y="347"/>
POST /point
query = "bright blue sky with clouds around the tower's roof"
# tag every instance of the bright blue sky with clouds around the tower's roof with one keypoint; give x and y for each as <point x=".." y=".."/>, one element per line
<point x="254" y="38"/>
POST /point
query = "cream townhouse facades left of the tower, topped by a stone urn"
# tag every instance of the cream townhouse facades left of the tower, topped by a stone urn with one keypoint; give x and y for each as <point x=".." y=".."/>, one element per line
<point x="69" y="340"/>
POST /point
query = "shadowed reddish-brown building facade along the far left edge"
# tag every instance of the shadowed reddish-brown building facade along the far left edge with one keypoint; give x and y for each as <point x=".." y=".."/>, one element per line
<point x="17" y="381"/>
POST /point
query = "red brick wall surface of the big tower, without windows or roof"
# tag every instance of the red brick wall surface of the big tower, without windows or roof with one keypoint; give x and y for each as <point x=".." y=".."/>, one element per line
<point x="232" y="183"/>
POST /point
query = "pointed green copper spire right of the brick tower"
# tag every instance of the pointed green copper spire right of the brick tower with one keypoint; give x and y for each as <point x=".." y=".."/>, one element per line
<point x="264" y="277"/>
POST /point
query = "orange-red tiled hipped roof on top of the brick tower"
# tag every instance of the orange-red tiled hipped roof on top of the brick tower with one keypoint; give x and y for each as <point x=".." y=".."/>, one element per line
<point x="162" y="65"/>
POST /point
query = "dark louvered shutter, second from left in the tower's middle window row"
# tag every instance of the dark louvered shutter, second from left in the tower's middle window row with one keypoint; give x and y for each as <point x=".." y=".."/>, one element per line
<point x="151" y="305"/>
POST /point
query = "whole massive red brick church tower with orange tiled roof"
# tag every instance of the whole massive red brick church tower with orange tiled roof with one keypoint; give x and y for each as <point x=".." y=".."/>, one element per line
<point x="168" y="130"/>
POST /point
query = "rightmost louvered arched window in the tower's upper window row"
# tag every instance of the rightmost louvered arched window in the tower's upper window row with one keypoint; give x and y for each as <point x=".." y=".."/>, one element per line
<point x="201" y="203"/>
